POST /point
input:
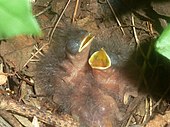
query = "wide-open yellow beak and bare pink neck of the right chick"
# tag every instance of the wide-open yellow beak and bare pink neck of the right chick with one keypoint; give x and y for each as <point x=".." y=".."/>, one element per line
<point x="106" y="76"/>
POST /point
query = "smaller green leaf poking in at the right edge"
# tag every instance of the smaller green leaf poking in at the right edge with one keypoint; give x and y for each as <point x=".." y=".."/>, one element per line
<point x="163" y="43"/>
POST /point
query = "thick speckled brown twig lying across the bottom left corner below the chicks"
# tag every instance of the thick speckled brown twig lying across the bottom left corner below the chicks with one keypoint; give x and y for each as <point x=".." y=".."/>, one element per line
<point x="9" y="104"/>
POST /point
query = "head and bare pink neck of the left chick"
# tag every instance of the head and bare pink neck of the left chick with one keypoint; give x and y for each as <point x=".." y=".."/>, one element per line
<point x="77" y="52"/>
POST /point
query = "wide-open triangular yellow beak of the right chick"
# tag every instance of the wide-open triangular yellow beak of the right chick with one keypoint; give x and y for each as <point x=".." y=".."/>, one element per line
<point x="100" y="60"/>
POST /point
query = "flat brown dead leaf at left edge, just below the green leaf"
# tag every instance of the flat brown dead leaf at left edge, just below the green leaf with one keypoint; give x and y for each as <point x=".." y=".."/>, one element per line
<point x="17" y="50"/>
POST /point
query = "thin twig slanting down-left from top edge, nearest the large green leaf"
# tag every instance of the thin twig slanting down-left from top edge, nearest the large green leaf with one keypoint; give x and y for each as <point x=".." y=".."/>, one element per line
<point x="51" y="33"/>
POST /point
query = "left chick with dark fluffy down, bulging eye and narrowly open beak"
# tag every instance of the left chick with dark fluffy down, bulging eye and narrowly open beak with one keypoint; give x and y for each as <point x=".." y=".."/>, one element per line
<point x="63" y="65"/>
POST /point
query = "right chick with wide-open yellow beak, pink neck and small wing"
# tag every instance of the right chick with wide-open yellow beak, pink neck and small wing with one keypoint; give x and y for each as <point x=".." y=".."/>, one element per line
<point x="114" y="81"/>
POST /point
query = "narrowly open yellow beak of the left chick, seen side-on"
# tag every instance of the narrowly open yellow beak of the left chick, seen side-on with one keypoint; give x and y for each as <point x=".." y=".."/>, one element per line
<point x="86" y="41"/>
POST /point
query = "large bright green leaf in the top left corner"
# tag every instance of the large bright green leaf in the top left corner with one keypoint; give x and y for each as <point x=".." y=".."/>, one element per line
<point x="16" y="18"/>
